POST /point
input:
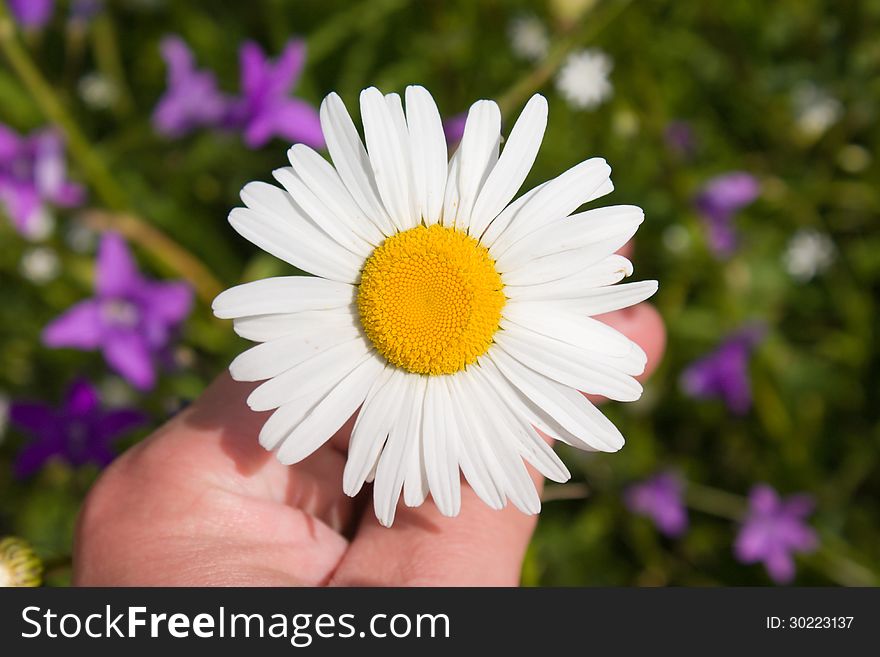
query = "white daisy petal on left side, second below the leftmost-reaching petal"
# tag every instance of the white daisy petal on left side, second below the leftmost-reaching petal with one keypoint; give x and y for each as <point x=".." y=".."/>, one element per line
<point x="276" y="356"/>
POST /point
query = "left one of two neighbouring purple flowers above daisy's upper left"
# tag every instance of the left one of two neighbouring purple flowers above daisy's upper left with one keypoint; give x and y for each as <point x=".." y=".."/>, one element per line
<point x="192" y="99"/>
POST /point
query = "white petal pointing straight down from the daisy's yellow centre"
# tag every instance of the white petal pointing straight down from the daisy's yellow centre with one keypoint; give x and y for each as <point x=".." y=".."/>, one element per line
<point x="440" y="460"/>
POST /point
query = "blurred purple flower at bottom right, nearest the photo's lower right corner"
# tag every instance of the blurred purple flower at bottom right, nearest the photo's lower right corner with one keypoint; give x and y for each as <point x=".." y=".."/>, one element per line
<point x="773" y="530"/>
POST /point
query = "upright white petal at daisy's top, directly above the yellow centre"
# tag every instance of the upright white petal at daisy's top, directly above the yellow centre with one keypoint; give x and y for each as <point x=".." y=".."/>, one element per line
<point x="427" y="152"/>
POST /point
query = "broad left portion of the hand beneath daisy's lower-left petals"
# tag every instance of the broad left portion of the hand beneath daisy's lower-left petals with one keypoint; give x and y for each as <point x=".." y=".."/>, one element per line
<point x="200" y="501"/>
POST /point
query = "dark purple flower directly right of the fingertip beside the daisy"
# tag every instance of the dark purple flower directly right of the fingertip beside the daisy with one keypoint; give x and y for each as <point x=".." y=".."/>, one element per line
<point x="724" y="373"/>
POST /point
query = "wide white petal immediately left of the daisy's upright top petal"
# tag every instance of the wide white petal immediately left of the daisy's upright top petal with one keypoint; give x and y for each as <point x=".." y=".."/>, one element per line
<point x="388" y="148"/>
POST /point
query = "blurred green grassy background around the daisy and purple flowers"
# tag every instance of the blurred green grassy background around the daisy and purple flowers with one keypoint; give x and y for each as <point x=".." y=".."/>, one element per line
<point x="743" y="76"/>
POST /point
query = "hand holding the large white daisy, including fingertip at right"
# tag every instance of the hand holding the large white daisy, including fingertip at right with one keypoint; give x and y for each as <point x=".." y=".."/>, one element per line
<point x="201" y="503"/>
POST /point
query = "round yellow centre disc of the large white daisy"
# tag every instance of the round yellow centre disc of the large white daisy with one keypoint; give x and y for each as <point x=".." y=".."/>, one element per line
<point x="430" y="299"/>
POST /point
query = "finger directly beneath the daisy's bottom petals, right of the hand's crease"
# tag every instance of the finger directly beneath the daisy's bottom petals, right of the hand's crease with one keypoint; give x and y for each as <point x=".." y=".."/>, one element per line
<point x="479" y="547"/>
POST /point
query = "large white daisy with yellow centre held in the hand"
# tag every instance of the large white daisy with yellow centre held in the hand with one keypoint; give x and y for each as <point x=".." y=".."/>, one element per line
<point x="457" y="321"/>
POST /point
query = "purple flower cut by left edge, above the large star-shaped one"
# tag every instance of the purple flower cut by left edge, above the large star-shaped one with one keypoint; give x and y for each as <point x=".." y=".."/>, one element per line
<point x="33" y="172"/>
